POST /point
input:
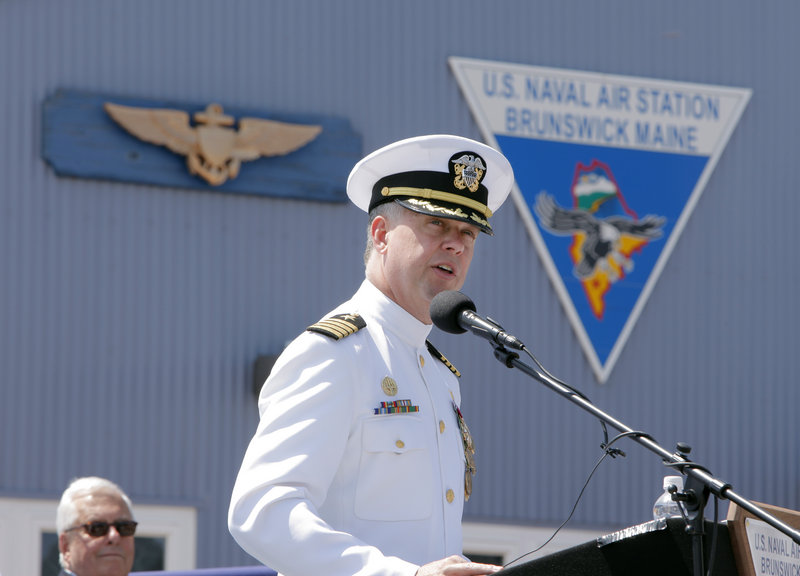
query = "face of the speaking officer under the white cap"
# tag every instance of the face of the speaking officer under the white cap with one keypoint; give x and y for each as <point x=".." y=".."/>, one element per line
<point x="424" y="255"/>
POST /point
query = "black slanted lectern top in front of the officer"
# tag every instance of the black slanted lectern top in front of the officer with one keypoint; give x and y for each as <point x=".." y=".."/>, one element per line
<point x="650" y="549"/>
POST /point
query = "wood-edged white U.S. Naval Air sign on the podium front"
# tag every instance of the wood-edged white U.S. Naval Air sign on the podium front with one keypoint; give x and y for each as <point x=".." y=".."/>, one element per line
<point x="760" y="549"/>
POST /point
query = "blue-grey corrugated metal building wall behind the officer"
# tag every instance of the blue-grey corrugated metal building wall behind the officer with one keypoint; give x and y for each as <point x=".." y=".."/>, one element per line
<point x="130" y="316"/>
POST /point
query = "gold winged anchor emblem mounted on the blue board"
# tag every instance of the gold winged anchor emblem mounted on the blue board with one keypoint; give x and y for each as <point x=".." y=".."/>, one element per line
<point x="214" y="149"/>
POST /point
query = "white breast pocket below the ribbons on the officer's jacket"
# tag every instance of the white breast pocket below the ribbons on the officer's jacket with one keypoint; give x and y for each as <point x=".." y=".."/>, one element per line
<point x="395" y="479"/>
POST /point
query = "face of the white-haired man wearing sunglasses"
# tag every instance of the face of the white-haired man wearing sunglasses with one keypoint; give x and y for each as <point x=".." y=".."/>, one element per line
<point x="109" y="555"/>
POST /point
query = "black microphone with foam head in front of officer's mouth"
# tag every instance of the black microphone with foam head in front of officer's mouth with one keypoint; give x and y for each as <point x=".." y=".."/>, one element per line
<point x="454" y="312"/>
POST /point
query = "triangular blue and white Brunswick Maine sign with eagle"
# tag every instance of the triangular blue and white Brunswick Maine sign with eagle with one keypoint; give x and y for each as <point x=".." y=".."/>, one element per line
<point x="608" y="170"/>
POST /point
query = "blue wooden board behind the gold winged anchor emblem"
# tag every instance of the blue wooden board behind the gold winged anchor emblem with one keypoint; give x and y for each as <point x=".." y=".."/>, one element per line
<point x="80" y="139"/>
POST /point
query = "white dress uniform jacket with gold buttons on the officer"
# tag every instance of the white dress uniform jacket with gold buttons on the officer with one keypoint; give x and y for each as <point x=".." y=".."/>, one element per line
<point x="327" y="486"/>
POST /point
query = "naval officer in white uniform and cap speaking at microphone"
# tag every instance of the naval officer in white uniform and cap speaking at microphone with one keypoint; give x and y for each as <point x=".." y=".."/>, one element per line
<point x="361" y="462"/>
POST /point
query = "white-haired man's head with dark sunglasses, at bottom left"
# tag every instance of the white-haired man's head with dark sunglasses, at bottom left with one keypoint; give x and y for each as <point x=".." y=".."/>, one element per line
<point x="95" y="529"/>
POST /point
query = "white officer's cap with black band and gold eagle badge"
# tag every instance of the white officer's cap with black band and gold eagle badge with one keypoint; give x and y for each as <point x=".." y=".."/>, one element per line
<point x="441" y="175"/>
